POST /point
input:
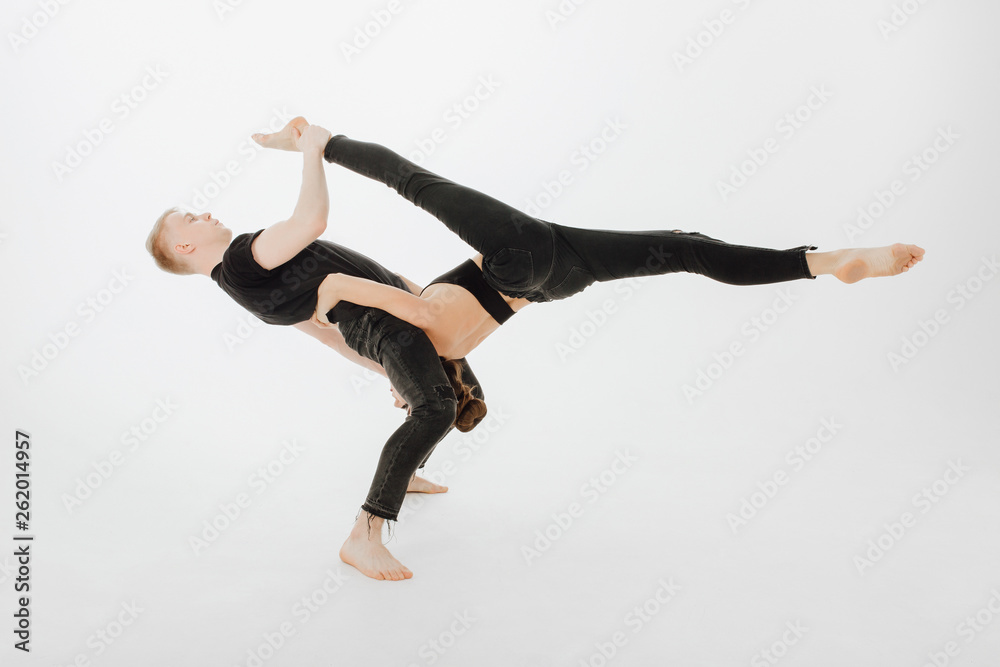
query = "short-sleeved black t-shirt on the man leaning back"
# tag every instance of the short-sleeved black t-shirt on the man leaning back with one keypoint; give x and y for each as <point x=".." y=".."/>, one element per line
<point x="286" y="294"/>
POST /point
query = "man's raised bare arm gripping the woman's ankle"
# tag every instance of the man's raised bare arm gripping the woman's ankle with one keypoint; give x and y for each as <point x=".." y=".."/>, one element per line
<point x="283" y="240"/>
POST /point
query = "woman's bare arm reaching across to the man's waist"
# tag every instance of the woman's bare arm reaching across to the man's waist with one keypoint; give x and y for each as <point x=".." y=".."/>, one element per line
<point x="338" y="287"/>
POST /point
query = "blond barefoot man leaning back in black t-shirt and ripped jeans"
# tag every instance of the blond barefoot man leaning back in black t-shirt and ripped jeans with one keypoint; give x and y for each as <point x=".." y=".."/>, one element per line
<point x="274" y="273"/>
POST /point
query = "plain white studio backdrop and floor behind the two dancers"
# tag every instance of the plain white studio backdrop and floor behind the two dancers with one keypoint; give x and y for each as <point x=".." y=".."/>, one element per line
<point x="639" y="495"/>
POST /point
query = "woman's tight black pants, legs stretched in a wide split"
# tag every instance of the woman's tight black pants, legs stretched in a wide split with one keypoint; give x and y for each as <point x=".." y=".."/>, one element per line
<point x="542" y="261"/>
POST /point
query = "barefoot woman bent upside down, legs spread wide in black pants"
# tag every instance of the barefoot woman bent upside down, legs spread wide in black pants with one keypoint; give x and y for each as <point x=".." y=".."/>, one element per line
<point x="523" y="259"/>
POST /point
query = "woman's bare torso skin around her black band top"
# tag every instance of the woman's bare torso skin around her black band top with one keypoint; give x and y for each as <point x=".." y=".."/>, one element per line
<point x="459" y="324"/>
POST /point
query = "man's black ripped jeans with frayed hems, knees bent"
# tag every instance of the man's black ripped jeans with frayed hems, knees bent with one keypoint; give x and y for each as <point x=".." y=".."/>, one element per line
<point x="414" y="368"/>
